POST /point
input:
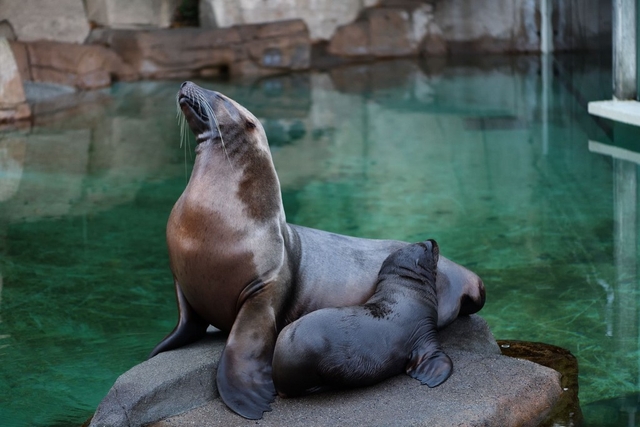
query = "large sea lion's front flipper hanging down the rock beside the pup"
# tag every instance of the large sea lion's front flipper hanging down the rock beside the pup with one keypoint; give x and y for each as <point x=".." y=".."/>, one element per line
<point x="244" y="372"/>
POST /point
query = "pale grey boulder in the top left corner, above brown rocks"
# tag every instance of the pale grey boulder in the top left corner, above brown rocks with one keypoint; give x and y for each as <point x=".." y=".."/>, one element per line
<point x="59" y="20"/>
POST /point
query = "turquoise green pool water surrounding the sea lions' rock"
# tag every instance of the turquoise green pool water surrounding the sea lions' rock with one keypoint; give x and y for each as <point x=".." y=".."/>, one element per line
<point x="492" y="157"/>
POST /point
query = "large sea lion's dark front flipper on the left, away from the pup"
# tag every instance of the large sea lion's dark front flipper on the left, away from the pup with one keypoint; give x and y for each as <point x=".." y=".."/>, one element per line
<point x="190" y="327"/>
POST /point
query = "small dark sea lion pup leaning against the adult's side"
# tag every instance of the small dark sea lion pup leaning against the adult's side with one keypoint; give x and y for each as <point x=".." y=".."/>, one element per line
<point x="394" y="331"/>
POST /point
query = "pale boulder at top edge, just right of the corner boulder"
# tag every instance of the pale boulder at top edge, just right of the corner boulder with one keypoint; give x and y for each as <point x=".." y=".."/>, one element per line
<point x="132" y="14"/>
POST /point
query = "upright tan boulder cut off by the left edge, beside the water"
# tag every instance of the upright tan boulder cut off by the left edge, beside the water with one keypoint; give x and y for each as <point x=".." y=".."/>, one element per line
<point x="13" y="105"/>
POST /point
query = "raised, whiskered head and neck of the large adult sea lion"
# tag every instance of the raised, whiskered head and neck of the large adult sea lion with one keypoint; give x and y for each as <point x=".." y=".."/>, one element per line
<point x="232" y="147"/>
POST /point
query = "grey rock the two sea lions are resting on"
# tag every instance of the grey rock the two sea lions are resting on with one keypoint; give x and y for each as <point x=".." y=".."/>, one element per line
<point x="177" y="388"/>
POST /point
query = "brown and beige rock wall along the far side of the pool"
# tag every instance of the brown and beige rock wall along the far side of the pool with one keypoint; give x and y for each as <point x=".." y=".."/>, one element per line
<point x="52" y="41"/>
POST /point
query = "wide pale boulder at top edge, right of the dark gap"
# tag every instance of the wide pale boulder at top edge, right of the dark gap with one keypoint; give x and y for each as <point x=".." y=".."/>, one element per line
<point x="321" y="16"/>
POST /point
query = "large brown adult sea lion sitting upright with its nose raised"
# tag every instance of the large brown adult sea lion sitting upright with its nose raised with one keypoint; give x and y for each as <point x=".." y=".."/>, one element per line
<point x="238" y="265"/>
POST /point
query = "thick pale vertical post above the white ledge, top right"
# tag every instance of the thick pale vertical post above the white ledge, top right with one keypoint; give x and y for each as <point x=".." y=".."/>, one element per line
<point x="624" y="49"/>
